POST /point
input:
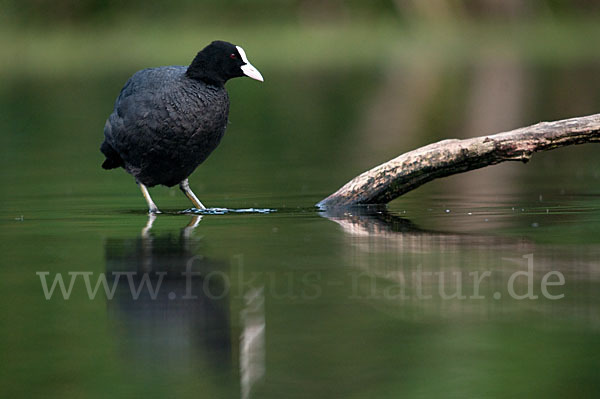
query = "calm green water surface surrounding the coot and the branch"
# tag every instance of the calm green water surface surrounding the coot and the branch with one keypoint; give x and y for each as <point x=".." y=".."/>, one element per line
<point x="409" y="301"/>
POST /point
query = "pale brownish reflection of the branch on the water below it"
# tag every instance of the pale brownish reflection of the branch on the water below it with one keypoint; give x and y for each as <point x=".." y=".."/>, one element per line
<point x="415" y="274"/>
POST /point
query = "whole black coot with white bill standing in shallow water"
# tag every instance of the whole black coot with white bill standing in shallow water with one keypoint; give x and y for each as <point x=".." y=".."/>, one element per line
<point x="168" y="120"/>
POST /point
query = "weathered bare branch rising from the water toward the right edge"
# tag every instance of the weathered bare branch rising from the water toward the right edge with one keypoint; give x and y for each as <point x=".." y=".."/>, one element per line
<point x="408" y="171"/>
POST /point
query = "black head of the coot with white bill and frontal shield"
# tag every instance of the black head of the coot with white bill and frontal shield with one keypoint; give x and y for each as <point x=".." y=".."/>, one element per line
<point x="220" y="61"/>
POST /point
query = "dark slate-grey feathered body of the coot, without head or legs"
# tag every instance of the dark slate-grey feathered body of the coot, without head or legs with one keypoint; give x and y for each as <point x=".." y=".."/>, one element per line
<point x="164" y="125"/>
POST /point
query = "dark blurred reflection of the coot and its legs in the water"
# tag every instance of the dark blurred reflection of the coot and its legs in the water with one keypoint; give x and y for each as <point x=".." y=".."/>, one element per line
<point x="169" y="304"/>
